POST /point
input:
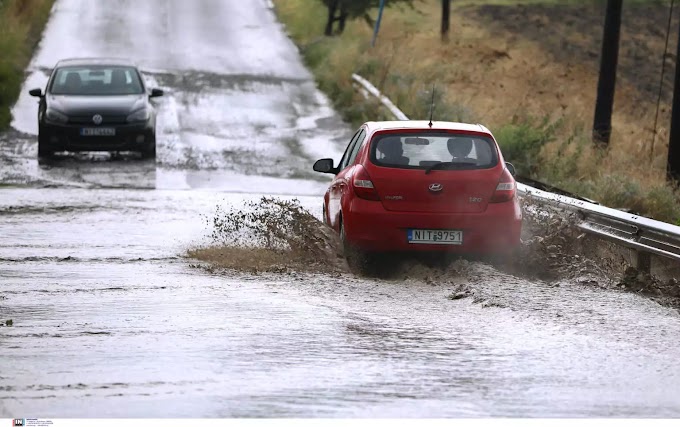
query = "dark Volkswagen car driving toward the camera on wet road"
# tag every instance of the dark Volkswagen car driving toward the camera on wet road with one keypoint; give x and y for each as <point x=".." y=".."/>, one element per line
<point x="96" y="105"/>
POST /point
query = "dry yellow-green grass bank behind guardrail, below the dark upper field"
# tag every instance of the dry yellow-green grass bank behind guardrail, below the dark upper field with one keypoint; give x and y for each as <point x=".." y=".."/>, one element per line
<point x="540" y="113"/>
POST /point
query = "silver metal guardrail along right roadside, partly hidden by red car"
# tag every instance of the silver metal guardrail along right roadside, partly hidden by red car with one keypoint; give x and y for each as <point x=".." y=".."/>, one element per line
<point x="644" y="235"/>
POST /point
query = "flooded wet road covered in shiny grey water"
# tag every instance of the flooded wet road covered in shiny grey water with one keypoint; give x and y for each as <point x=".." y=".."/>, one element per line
<point x="110" y="319"/>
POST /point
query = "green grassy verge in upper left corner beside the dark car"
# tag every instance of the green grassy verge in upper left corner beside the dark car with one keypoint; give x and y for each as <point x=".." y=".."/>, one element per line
<point x="21" y="25"/>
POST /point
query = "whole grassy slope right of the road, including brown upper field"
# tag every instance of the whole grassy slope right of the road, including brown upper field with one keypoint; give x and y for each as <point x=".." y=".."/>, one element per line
<point x="516" y="79"/>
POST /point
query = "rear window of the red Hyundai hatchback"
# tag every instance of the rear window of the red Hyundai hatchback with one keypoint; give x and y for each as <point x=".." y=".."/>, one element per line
<point x="428" y="150"/>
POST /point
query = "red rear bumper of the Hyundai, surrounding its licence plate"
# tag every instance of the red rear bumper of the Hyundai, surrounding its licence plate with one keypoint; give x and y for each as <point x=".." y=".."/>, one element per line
<point x="496" y="230"/>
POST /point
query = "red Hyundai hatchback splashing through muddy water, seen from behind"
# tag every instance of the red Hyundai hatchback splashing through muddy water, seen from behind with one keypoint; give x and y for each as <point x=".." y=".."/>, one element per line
<point x="407" y="186"/>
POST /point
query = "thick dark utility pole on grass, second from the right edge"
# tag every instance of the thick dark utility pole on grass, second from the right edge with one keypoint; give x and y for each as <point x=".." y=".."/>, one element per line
<point x="602" y="125"/>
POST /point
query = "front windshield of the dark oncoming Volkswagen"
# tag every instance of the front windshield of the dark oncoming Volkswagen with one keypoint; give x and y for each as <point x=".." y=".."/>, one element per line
<point x="96" y="80"/>
